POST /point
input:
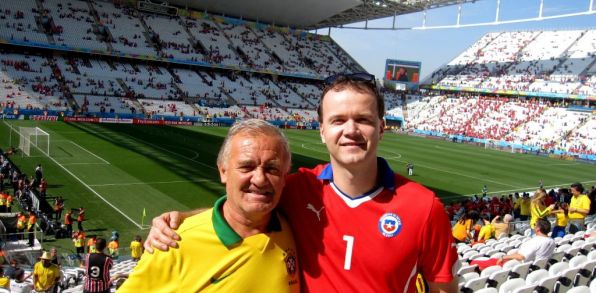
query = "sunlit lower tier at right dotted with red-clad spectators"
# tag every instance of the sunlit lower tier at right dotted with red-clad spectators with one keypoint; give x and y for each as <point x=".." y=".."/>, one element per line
<point x="540" y="124"/>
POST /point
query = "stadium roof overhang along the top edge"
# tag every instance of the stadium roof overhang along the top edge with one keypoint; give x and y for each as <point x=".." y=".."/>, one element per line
<point x="313" y="14"/>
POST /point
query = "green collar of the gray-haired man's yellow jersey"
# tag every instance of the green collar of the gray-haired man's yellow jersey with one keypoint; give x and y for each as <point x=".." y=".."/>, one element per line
<point x="226" y="234"/>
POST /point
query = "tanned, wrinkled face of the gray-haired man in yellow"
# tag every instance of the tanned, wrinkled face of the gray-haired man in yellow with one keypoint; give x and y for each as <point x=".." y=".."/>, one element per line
<point x="254" y="174"/>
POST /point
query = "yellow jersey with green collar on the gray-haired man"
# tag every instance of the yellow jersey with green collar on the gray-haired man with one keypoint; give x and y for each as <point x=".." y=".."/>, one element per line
<point x="212" y="257"/>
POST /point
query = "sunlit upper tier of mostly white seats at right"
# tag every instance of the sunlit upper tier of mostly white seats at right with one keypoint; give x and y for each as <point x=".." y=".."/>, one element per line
<point x="536" y="61"/>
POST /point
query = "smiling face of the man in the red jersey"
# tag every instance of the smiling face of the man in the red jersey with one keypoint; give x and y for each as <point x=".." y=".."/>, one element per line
<point x="350" y="126"/>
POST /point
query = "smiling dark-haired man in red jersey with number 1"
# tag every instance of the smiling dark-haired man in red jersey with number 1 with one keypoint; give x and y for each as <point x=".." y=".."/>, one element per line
<point x="359" y="227"/>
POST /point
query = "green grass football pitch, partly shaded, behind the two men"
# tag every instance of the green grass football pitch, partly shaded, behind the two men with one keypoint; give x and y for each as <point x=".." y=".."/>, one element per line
<point x="122" y="169"/>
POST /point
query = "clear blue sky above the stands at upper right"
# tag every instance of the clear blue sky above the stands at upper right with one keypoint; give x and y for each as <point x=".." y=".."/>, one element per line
<point x="436" y="47"/>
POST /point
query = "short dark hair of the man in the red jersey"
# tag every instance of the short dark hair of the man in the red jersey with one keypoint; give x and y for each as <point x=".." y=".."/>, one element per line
<point x="342" y="82"/>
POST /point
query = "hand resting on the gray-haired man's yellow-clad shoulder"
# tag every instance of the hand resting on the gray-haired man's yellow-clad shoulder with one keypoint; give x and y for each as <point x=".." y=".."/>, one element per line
<point x="162" y="235"/>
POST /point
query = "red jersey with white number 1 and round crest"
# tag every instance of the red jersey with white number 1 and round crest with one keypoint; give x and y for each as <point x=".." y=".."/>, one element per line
<point x="377" y="242"/>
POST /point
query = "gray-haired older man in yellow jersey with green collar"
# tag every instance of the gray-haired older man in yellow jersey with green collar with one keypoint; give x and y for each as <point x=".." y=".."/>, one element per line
<point x="241" y="244"/>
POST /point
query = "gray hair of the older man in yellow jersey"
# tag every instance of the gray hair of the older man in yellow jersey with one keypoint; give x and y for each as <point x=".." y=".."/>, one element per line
<point x="253" y="127"/>
